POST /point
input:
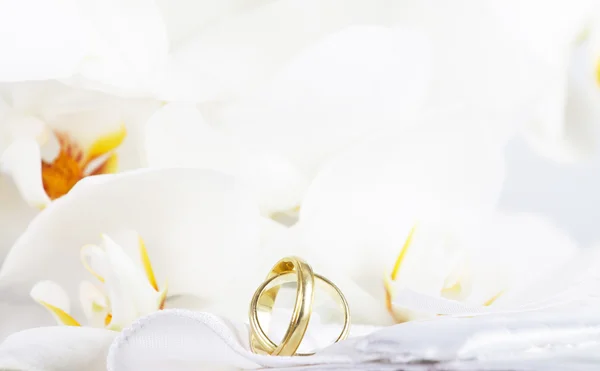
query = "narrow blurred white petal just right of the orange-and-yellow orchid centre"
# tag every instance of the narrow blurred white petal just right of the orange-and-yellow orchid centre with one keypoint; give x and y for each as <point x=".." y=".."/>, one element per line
<point x="178" y="136"/>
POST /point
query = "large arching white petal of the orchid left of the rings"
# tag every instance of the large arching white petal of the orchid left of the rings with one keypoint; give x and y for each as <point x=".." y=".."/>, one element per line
<point x="193" y="222"/>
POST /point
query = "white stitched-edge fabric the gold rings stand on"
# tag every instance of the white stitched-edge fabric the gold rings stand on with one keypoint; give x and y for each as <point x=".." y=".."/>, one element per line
<point x="183" y="340"/>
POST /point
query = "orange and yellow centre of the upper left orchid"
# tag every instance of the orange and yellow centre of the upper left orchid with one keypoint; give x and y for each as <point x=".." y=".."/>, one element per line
<point x="73" y="163"/>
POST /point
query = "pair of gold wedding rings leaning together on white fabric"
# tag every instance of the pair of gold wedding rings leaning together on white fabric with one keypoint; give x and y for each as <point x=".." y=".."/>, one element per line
<point x="290" y="269"/>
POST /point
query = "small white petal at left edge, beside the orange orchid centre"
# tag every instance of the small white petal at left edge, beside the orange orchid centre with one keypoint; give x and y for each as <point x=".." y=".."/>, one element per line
<point x="22" y="161"/>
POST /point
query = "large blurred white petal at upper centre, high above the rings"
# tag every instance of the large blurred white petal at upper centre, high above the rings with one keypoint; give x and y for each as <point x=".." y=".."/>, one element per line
<point x="366" y="77"/>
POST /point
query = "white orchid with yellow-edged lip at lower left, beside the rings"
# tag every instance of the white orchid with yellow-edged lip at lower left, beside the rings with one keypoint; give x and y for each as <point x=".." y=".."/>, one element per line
<point x="201" y="232"/>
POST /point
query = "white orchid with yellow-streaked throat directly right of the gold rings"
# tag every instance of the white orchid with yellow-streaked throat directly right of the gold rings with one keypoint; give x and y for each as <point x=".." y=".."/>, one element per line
<point x="404" y="223"/>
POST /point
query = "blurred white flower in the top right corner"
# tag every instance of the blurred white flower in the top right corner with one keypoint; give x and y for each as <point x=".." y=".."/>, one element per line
<point x="564" y="125"/>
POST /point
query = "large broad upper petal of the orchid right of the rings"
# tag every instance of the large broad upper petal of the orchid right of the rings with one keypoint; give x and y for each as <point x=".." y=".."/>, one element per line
<point x="445" y="173"/>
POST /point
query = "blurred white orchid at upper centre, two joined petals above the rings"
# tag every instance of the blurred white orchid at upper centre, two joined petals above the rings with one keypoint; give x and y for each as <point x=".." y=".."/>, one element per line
<point x="344" y="87"/>
